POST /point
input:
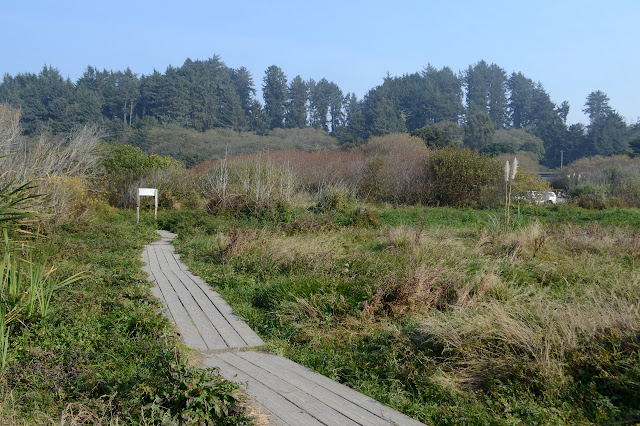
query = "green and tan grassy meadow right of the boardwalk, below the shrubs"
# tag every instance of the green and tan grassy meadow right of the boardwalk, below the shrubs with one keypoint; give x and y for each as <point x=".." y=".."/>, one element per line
<point x="442" y="313"/>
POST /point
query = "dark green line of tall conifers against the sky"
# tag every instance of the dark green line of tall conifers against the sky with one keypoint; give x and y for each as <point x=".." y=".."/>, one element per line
<point x="482" y="107"/>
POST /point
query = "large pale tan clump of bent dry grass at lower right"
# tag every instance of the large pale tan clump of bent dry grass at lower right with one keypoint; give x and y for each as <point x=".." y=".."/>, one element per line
<point x="522" y="338"/>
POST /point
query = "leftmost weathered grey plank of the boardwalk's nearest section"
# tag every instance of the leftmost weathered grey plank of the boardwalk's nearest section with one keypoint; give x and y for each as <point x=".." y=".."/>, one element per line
<point x="283" y="411"/>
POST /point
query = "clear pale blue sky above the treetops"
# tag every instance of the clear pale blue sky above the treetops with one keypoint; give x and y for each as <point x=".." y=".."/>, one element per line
<point x="571" y="47"/>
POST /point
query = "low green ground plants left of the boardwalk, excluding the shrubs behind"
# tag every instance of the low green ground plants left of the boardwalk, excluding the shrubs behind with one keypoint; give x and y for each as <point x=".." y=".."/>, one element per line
<point x="102" y="352"/>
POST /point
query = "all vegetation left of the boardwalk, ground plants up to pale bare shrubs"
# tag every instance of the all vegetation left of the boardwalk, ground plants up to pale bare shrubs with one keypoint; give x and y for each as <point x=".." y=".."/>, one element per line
<point x="82" y="340"/>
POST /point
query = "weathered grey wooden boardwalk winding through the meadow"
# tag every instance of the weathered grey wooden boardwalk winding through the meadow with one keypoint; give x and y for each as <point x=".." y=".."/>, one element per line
<point x="288" y="393"/>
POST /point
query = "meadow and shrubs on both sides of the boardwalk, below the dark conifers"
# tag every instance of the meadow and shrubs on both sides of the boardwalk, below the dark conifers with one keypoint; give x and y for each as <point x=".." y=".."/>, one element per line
<point x="394" y="268"/>
